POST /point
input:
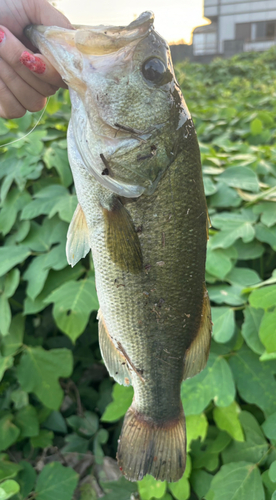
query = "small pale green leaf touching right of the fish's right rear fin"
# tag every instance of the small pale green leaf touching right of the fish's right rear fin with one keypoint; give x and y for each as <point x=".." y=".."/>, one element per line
<point x="224" y="323"/>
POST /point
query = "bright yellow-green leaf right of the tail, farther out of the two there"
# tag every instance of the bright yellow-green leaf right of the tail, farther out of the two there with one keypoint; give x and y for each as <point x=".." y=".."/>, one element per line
<point x="227" y="419"/>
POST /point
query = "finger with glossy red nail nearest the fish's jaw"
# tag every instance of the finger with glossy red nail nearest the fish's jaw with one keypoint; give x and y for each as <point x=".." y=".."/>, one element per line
<point x="11" y="50"/>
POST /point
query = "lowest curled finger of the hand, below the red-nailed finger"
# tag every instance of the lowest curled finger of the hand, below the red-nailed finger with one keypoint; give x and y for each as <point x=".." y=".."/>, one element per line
<point x="29" y="98"/>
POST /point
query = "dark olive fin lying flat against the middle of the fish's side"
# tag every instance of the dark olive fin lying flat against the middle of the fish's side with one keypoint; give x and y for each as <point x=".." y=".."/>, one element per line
<point x="122" y="240"/>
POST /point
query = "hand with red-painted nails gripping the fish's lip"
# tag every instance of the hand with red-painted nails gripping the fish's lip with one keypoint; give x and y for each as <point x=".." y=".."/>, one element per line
<point x="26" y="79"/>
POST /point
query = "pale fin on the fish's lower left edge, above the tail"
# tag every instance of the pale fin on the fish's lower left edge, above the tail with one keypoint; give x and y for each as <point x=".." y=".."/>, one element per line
<point x="115" y="362"/>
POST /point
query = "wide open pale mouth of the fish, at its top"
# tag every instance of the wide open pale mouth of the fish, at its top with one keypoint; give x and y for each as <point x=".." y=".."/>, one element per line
<point x="93" y="40"/>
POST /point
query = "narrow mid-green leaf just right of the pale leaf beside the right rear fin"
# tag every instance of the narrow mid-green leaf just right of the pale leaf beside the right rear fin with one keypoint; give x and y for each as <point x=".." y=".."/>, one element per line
<point x="250" y="328"/>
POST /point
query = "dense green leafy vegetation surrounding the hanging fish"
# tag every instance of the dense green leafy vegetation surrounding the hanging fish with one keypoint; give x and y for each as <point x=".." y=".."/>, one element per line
<point x="60" y="414"/>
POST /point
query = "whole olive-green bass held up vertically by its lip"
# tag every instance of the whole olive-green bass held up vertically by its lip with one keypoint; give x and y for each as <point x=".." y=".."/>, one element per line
<point x="135" y="160"/>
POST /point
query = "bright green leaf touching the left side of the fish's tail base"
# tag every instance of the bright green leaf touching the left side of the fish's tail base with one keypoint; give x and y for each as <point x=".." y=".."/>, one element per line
<point x="122" y="399"/>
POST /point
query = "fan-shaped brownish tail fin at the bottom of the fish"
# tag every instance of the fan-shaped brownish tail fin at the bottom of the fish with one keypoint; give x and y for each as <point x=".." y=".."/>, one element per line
<point x="146" y="447"/>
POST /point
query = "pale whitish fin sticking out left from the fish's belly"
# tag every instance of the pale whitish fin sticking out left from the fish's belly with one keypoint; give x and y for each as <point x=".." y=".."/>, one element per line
<point x="77" y="245"/>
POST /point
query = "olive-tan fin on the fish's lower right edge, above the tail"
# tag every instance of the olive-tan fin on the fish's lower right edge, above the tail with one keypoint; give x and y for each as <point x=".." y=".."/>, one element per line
<point x="197" y="355"/>
